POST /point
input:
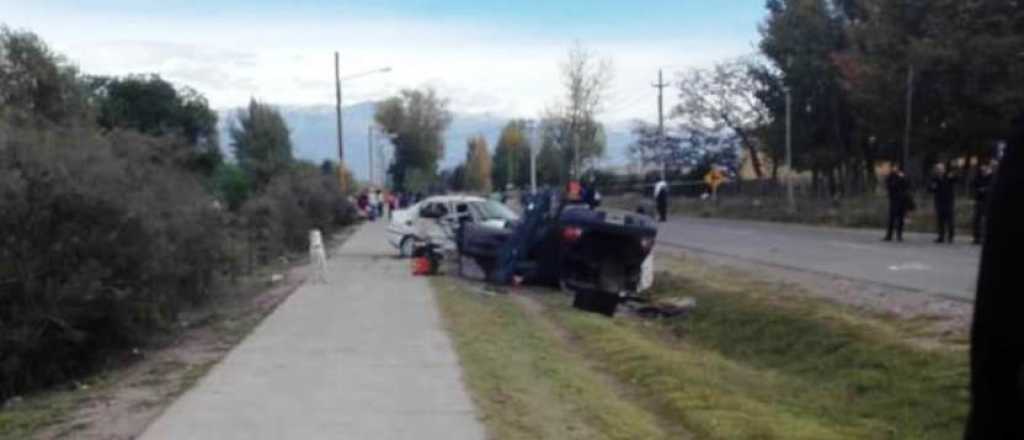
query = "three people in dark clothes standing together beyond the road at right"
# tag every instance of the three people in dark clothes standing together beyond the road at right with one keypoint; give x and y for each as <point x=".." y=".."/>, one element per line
<point x="943" y="186"/>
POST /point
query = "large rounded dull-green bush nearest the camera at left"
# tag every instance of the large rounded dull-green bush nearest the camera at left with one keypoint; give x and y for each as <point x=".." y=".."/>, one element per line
<point x="104" y="242"/>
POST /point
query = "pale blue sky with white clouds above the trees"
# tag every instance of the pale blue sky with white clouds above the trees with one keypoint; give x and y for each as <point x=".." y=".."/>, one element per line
<point x="487" y="57"/>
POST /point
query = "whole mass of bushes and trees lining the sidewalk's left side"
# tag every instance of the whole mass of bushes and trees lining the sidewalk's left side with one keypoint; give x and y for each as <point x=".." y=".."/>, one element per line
<point x="107" y="234"/>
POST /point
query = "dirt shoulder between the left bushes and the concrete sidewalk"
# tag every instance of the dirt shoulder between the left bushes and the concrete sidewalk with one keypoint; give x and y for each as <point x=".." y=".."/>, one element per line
<point x="121" y="403"/>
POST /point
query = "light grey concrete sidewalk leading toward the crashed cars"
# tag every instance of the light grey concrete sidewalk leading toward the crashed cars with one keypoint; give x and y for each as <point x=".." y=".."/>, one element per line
<point x="363" y="358"/>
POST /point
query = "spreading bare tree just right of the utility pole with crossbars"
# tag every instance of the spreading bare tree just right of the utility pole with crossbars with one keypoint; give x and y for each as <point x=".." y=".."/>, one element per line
<point x="722" y="100"/>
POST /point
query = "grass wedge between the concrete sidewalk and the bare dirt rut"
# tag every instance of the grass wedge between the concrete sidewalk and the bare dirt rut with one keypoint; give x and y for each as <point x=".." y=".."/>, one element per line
<point x="526" y="380"/>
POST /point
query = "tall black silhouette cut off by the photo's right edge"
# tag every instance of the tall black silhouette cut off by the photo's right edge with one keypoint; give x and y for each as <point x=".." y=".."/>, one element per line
<point x="998" y="332"/>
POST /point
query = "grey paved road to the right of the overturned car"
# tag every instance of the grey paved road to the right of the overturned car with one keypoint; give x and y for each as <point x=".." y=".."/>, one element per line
<point x="917" y="265"/>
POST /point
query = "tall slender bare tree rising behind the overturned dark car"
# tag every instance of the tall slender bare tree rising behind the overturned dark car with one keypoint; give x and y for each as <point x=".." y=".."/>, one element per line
<point x="586" y="79"/>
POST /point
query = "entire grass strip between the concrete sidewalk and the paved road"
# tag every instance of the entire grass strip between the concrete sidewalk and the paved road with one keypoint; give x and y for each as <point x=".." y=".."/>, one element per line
<point x="757" y="360"/>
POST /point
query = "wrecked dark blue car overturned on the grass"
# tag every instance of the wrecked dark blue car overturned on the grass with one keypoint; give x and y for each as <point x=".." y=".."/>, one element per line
<point x="601" y="255"/>
